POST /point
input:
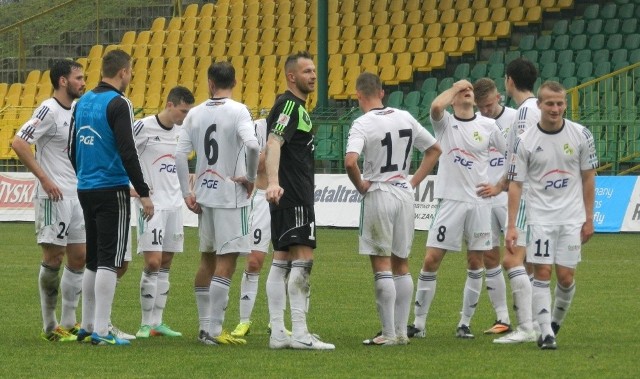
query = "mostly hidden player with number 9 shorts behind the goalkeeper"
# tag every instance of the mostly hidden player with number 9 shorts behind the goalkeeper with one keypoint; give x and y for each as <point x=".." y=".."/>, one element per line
<point x="260" y="221"/>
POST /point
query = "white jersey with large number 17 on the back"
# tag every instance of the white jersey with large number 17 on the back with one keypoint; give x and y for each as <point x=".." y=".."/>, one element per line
<point x="387" y="137"/>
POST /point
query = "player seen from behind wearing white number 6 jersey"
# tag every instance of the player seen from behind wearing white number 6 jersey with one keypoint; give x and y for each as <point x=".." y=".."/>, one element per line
<point x="221" y="132"/>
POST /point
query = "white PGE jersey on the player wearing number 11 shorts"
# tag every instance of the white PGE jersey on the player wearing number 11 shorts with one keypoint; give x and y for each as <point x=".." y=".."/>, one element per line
<point x="552" y="164"/>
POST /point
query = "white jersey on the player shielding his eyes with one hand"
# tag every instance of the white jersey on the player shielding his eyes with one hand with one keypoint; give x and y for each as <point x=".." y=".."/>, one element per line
<point x="464" y="162"/>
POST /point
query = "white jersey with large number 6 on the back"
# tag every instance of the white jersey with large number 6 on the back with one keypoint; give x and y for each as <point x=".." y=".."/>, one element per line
<point x="217" y="130"/>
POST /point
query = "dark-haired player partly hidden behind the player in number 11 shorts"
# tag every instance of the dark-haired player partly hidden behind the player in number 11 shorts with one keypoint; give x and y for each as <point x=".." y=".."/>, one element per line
<point x="520" y="78"/>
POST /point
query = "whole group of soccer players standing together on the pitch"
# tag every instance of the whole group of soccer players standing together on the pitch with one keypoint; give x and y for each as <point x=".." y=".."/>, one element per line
<point x="527" y="173"/>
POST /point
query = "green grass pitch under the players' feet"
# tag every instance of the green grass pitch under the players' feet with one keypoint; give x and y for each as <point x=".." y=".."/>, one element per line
<point x="599" y="338"/>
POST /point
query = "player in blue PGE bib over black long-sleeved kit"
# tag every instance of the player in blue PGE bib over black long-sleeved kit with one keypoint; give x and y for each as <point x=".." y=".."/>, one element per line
<point x="103" y="153"/>
